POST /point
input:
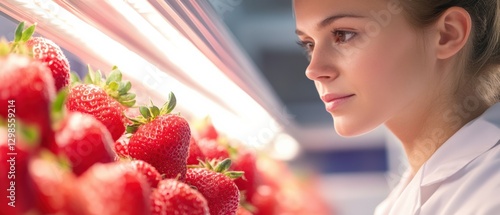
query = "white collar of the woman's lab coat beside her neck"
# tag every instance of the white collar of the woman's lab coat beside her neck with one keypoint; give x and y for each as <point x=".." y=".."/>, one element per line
<point x="473" y="139"/>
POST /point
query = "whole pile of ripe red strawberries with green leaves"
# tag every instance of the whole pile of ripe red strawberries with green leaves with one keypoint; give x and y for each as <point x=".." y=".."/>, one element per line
<point x="83" y="147"/>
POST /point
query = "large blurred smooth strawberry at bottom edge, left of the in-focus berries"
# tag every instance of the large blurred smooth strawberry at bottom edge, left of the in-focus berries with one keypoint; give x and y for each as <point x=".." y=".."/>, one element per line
<point x="115" y="188"/>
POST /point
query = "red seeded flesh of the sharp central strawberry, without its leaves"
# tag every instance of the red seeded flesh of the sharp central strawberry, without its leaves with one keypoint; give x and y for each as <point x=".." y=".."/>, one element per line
<point x="164" y="143"/>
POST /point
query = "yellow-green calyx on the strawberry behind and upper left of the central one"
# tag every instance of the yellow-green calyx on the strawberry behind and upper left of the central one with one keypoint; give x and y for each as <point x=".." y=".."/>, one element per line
<point x="114" y="86"/>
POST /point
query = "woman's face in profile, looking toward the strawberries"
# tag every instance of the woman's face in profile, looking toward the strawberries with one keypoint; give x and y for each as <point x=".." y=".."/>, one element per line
<point x="368" y="63"/>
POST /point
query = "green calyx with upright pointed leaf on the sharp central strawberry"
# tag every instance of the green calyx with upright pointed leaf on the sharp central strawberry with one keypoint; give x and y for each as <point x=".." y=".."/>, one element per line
<point x="150" y="113"/>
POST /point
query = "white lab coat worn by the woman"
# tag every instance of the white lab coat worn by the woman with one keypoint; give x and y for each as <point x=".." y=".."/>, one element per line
<point x="461" y="178"/>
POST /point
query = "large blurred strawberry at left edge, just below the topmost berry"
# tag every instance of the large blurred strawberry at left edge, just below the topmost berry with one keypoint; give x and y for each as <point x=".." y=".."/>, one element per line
<point x="28" y="88"/>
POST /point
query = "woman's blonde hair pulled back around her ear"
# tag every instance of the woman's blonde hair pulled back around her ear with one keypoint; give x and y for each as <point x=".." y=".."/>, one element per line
<point x="481" y="56"/>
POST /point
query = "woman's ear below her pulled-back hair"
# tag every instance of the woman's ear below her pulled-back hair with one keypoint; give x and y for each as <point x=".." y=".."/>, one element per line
<point x="454" y="28"/>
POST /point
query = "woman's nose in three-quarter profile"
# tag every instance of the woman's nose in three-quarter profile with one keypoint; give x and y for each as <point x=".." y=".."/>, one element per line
<point x="322" y="65"/>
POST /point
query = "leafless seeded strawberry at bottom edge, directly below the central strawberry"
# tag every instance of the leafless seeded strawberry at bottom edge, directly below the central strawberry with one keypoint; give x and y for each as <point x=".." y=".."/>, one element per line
<point x="175" y="197"/>
